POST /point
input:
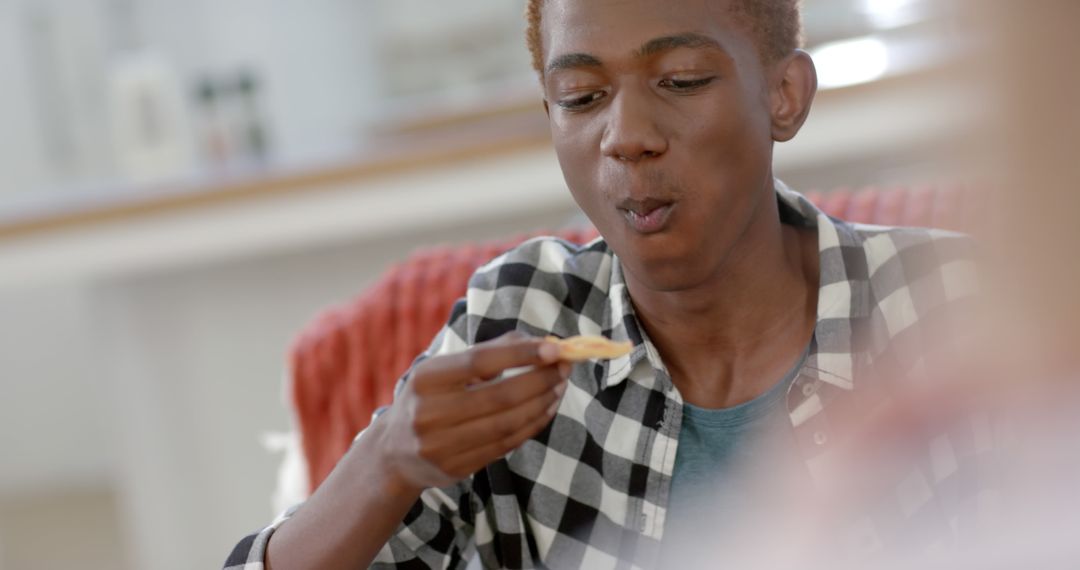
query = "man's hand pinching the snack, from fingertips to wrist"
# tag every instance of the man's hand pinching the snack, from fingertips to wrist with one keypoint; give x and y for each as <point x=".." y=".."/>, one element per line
<point x="452" y="419"/>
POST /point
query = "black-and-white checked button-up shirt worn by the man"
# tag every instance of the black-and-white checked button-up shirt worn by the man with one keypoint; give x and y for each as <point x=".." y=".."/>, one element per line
<point x="591" y="491"/>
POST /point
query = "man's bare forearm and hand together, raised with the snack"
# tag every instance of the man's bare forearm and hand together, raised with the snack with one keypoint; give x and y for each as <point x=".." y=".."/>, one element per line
<point x="451" y="420"/>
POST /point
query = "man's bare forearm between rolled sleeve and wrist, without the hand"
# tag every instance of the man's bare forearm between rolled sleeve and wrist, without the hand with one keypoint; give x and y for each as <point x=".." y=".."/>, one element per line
<point x="348" y="520"/>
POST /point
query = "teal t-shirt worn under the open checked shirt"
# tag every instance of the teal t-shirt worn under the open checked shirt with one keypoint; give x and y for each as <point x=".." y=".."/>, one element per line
<point x="713" y="481"/>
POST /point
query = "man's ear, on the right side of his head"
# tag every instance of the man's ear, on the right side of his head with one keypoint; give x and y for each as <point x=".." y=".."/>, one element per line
<point x="794" y="86"/>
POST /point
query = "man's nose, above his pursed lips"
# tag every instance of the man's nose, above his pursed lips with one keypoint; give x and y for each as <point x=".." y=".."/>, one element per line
<point x="632" y="133"/>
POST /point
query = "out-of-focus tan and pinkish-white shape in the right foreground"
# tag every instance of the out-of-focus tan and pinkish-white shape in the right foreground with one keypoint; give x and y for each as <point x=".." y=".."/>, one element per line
<point x="1018" y="371"/>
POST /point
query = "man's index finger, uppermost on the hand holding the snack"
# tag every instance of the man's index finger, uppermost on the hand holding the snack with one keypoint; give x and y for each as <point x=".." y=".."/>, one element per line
<point x="485" y="361"/>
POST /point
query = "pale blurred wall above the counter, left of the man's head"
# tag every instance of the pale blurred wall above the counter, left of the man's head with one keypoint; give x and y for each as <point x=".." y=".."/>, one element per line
<point x="317" y="61"/>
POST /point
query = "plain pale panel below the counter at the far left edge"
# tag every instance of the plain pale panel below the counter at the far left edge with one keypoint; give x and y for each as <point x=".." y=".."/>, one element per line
<point x="52" y="433"/>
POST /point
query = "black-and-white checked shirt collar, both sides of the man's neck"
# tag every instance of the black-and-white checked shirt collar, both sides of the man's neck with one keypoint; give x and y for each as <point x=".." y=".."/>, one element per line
<point x="841" y="303"/>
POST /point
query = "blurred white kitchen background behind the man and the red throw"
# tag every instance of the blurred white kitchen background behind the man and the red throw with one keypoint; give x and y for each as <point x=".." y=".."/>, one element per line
<point x="185" y="185"/>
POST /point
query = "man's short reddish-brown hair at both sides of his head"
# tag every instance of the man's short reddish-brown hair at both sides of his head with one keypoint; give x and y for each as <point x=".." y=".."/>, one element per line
<point x="776" y="24"/>
